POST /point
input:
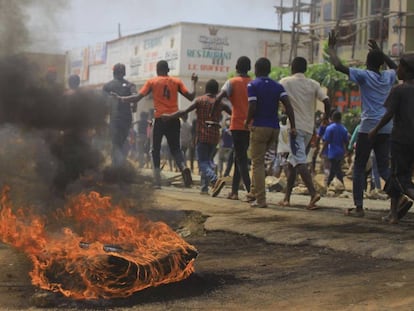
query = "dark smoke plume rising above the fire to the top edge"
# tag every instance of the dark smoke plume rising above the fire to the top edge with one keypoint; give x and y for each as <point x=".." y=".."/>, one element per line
<point x="46" y="136"/>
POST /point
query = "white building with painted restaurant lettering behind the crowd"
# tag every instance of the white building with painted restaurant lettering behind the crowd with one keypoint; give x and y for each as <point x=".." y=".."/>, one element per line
<point x="210" y="51"/>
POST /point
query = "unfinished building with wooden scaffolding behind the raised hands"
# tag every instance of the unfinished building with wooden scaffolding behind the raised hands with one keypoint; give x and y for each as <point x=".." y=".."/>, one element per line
<point x="389" y="22"/>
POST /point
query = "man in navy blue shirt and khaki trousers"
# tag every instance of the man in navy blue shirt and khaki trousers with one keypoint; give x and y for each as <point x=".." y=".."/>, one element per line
<point x="264" y="95"/>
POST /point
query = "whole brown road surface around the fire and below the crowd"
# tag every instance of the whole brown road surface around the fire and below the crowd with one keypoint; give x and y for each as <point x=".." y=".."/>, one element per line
<point x="267" y="259"/>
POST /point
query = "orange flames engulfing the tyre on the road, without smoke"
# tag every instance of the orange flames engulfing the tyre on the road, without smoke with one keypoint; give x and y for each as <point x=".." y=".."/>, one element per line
<point x="103" y="253"/>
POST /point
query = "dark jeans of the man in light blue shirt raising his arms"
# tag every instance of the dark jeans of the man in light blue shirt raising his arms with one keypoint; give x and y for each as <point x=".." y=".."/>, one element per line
<point x="381" y="147"/>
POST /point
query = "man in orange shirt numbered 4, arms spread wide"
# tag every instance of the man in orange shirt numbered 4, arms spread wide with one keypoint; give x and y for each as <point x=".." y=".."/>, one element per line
<point x="165" y="91"/>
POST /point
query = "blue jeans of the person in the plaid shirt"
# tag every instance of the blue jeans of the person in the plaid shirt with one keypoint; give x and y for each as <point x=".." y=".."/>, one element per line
<point x="205" y="153"/>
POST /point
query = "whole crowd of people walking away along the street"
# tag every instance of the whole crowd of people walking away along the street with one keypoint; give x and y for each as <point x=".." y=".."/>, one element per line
<point x="255" y="125"/>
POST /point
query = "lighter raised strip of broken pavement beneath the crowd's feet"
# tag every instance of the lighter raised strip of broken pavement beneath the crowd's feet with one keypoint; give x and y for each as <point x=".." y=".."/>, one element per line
<point x="326" y="227"/>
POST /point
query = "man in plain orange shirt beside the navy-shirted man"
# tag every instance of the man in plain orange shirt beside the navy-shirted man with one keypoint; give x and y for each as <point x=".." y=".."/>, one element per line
<point x="235" y="89"/>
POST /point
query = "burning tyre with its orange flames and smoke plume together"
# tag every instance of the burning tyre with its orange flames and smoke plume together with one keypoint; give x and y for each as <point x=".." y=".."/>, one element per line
<point x="91" y="249"/>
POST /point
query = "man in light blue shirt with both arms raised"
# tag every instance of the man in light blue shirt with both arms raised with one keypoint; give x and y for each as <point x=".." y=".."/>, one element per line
<point x="375" y="86"/>
